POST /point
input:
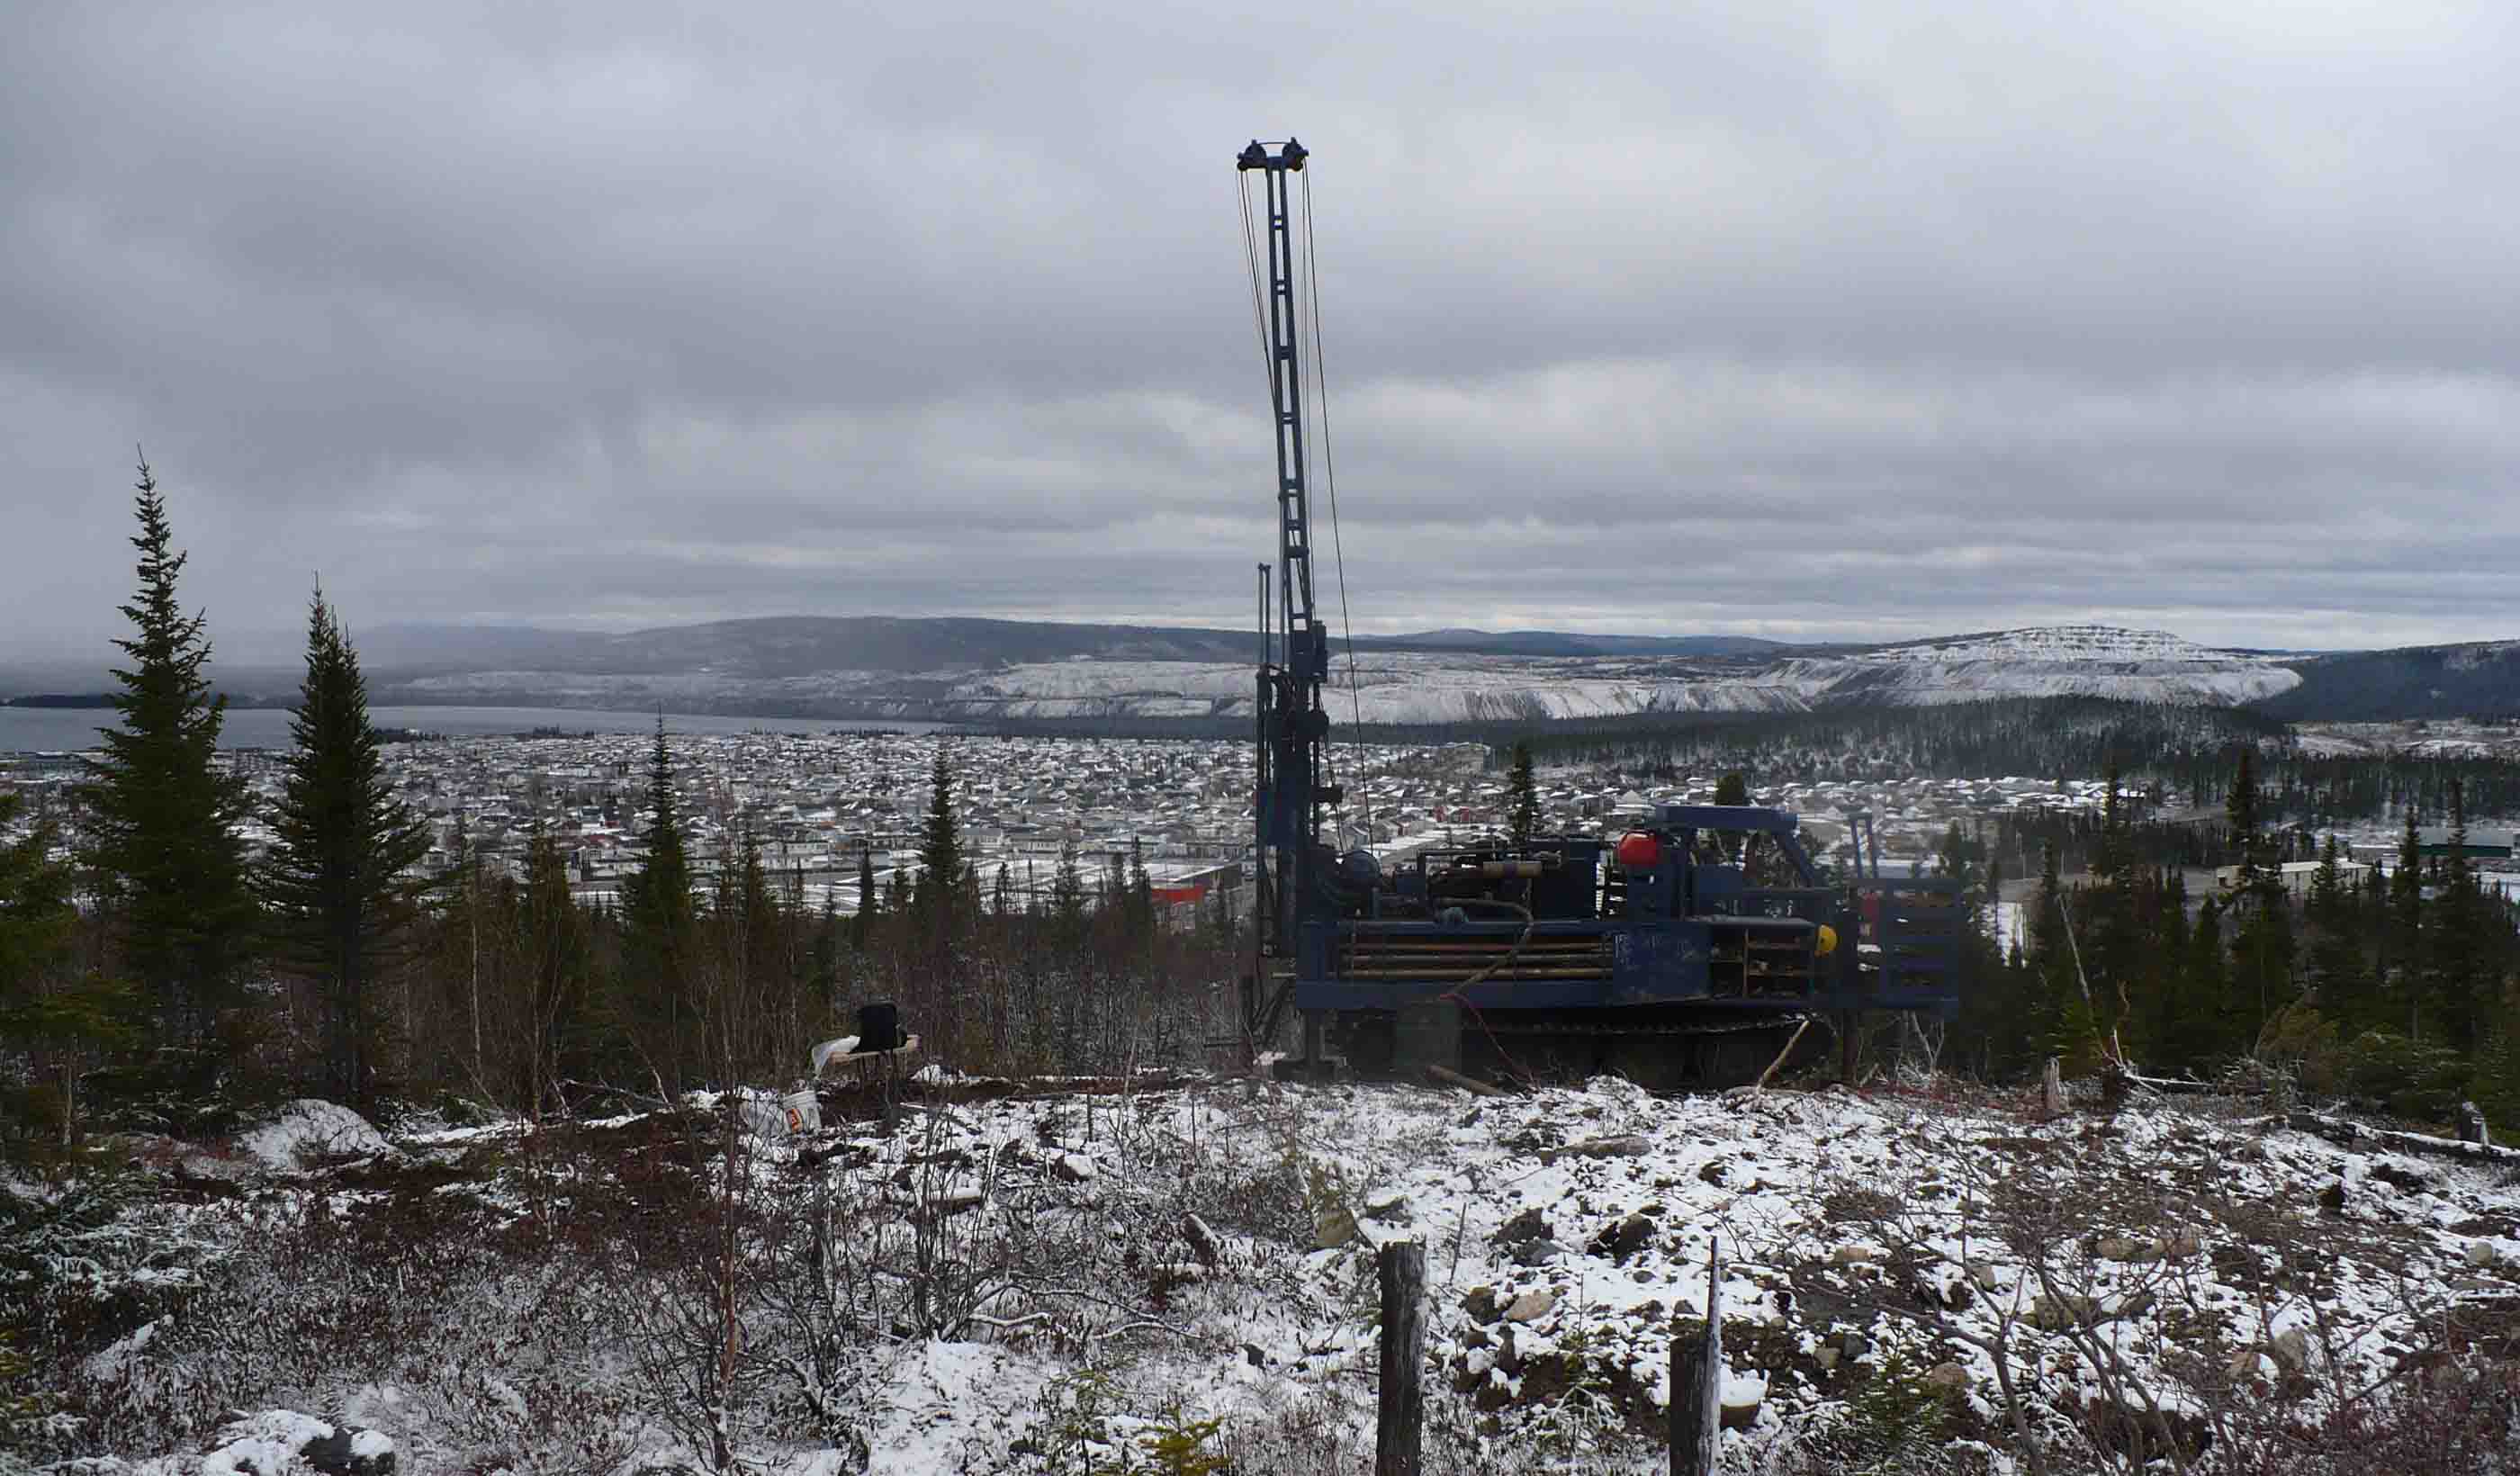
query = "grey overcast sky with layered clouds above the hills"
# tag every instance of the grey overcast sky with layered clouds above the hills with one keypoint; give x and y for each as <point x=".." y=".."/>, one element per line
<point x="1775" y="319"/>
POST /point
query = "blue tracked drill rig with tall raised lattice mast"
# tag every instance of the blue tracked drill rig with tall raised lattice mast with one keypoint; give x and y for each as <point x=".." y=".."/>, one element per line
<point x="1690" y="951"/>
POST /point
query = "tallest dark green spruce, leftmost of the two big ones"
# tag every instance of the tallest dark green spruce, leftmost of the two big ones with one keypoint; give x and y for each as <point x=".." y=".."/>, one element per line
<point x="163" y="815"/>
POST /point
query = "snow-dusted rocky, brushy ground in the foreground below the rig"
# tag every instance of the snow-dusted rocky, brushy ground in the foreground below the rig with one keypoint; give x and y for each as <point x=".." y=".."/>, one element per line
<point x="1029" y="1283"/>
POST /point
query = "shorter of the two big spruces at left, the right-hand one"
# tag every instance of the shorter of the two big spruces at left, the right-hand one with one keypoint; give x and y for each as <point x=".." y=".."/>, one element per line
<point x="341" y="878"/>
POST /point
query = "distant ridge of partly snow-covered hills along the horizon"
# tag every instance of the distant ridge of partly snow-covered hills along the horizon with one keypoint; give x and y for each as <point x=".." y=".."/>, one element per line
<point x="984" y="671"/>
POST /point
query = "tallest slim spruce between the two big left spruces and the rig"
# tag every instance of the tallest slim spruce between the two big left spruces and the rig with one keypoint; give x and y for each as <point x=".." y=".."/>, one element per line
<point x="661" y="951"/>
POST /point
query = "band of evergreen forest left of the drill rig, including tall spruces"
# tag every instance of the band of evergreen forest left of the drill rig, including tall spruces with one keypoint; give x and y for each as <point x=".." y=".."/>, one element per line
<point x="200" y="981"/>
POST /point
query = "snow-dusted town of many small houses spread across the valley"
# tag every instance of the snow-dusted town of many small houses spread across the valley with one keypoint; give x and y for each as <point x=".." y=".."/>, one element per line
<point x="830" y="807"/>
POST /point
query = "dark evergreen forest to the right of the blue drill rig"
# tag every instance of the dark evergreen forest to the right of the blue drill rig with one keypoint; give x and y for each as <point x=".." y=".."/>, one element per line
<point x="2388" y="986"/>
